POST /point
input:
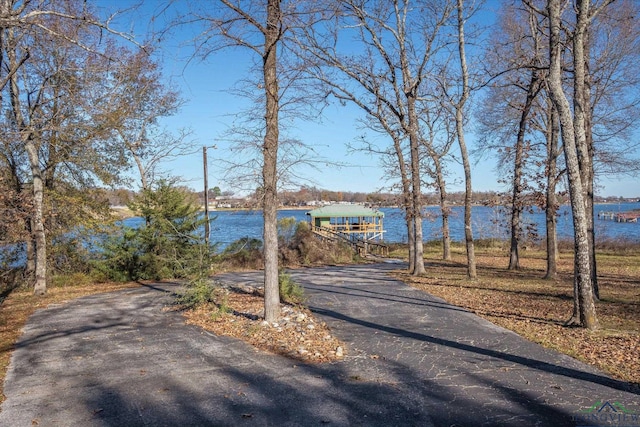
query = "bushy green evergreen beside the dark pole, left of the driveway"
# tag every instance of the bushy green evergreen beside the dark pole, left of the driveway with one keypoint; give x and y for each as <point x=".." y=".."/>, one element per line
<point x="168" y="245"/>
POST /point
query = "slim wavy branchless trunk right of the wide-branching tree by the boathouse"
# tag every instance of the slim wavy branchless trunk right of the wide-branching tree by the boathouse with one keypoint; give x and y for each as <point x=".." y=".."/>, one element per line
<point x="468" y="232"/>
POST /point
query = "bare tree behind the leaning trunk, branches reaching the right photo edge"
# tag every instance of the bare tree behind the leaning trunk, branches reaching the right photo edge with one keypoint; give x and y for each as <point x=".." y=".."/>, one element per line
<point x="607" y="105"/>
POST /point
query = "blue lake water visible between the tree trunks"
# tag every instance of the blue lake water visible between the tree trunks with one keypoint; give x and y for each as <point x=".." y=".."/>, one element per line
<point x="487" y="222"/>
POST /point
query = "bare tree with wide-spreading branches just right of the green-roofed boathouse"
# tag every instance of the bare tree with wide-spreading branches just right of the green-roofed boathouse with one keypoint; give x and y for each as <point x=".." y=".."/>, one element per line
<point x="387" y="80"/>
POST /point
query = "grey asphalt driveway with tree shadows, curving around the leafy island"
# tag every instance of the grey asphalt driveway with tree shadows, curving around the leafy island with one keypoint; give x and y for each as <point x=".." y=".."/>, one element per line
<point x="122" y="359"/>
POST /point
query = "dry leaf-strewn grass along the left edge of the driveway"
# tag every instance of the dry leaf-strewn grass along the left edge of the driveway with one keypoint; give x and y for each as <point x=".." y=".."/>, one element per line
<point x="20" y="304"/>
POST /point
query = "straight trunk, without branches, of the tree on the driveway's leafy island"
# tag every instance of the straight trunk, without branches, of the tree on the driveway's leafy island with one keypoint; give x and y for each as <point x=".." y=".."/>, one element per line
<point x="270" y="159"/>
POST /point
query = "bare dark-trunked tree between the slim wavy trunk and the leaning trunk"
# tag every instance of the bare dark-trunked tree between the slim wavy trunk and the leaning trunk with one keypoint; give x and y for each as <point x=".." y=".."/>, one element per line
<point x="516" y="60"/>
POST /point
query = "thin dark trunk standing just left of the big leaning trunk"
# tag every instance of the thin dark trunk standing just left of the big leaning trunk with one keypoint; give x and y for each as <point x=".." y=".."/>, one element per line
<point x="551" y="212"/>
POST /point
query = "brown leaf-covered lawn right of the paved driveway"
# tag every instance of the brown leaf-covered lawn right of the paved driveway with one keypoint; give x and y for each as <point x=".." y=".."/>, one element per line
<point x="537" y="309"/>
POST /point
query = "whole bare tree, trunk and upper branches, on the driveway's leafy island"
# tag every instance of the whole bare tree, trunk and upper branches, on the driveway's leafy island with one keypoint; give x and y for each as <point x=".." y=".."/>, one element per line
<point x="258" y="26"/>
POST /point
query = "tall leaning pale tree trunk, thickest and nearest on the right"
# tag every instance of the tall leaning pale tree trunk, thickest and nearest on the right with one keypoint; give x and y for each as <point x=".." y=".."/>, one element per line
<point x="584" y="307"/>
